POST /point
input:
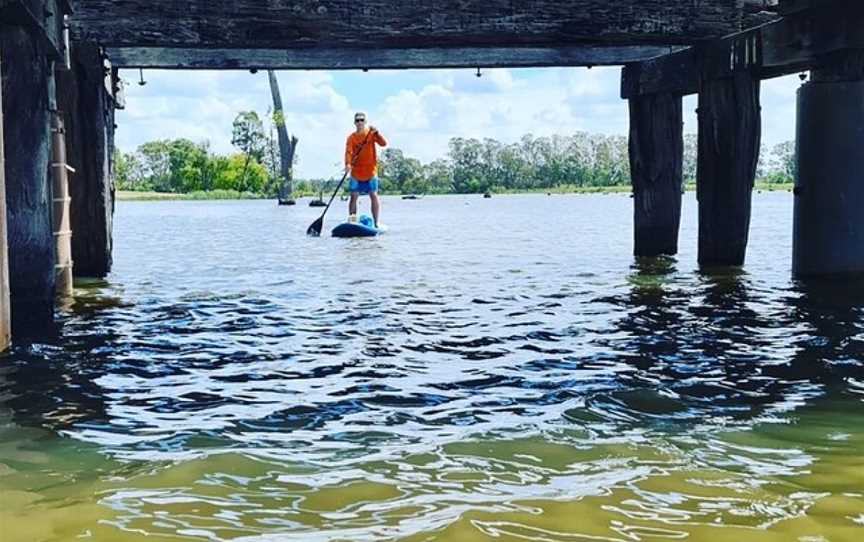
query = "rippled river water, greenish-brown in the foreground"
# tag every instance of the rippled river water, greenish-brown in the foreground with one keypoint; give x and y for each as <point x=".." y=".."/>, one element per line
<point x="496" y="370"/>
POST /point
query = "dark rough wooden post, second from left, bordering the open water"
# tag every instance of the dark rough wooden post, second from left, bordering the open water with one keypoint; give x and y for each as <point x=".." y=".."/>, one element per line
<point x="88" y="111"/>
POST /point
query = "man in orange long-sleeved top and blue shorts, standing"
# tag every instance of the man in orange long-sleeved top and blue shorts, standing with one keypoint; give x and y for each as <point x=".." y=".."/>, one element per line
<point x="361" y="162"/>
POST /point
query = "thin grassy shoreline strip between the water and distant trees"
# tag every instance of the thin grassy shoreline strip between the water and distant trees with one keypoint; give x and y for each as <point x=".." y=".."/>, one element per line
<point x="128" y="195"/>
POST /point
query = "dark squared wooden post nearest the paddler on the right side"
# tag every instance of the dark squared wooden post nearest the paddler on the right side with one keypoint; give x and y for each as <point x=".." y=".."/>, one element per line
<point x="656" y="156"/>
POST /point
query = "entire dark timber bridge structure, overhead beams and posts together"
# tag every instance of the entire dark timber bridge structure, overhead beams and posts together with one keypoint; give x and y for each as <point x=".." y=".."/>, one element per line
<point x="720" y="49"/>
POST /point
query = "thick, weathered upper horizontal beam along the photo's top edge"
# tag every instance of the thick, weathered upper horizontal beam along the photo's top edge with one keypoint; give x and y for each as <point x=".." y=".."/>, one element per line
<point x="403" y="24"/>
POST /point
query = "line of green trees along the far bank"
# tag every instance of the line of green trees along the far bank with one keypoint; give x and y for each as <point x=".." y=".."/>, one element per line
<point x="470" y="165"/>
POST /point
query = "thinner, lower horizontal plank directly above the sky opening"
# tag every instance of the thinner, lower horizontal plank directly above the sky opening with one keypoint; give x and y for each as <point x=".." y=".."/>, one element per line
<point x="336" y="59"/>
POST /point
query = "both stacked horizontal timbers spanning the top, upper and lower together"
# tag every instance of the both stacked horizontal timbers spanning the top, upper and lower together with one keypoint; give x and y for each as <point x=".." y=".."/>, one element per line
<point x="380" y="34"/>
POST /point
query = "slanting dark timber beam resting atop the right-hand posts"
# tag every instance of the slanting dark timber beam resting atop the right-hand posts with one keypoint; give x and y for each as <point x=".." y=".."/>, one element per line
<point x="806" y="39"/>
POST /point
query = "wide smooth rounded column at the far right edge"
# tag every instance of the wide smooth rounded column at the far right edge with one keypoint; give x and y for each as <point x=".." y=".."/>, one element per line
<point x="828" y="228"/>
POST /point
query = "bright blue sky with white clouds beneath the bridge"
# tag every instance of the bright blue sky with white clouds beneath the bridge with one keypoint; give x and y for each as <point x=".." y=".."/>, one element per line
<point x="418" y="111"/>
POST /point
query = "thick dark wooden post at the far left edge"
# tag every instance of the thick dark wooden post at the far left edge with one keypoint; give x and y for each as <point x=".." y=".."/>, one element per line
<point x="28" y="193"/>
